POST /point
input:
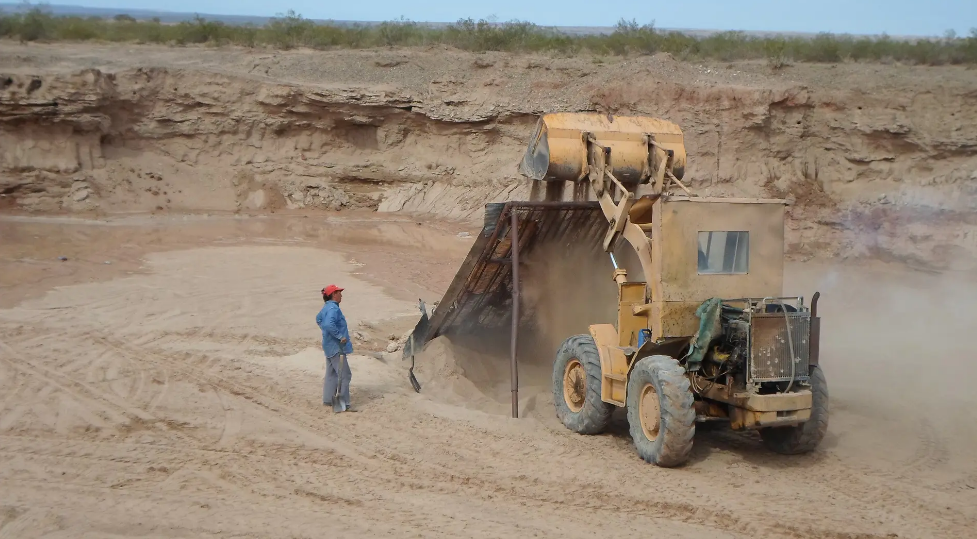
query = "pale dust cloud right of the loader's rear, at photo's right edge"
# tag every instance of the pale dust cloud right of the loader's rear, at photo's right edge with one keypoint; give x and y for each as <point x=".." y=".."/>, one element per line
<point x="900" y="369"/>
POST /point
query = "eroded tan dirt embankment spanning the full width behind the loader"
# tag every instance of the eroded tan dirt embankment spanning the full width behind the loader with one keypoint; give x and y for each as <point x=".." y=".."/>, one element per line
<point x="880" y="161"/>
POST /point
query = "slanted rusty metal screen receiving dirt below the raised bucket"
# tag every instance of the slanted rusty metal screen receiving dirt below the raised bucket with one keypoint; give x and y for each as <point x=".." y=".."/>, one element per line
<point x="480" y="295"/>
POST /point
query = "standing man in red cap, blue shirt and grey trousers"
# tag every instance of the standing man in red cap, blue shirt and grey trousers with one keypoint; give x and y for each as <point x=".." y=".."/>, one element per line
<point x="336" y="345"/>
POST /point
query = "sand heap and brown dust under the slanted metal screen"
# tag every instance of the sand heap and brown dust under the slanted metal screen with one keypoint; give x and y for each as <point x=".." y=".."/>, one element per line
<point x="565" y="287"/>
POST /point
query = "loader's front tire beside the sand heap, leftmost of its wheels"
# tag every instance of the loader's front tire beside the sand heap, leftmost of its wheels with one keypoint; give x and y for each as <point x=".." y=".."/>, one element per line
<point x="576" y="387"/>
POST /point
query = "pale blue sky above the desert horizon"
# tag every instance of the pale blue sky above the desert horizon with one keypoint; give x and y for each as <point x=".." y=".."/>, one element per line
<point x="895" y="17"/>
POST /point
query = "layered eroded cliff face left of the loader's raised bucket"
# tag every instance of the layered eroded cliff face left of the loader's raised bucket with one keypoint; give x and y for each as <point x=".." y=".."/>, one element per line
<point x="209" y="142"/>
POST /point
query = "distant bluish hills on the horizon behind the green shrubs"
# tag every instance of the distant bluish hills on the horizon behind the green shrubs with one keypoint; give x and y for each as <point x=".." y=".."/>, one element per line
<point x="175" y="17"/>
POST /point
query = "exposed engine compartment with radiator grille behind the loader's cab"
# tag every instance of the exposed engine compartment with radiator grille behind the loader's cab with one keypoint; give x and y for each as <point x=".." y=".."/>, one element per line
<point x="753" y="351"/>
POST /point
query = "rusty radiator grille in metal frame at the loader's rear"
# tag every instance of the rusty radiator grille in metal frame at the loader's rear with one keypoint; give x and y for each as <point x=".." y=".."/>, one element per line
<point x="769" y="354"/>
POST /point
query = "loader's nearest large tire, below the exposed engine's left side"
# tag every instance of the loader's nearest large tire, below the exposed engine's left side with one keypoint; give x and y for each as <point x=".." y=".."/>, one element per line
<point x="660" y="411"/>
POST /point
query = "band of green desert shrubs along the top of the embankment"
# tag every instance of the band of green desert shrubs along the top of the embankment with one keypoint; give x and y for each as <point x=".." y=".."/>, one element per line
<point x="292" y="30"/>
